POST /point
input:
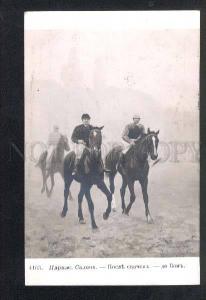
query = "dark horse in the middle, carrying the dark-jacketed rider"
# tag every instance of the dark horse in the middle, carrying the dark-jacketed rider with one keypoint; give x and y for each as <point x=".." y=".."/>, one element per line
<point x="90" y="172"/>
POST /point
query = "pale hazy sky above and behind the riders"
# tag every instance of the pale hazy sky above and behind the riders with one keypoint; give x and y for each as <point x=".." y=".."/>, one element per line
<point x="110" y="74"/>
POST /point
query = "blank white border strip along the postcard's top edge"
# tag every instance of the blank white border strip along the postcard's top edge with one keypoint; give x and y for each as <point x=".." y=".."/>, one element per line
<point x="112" y="20"/>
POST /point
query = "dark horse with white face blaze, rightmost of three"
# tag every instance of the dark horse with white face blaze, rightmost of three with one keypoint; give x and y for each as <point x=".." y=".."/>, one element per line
<point x="134" y="167"/>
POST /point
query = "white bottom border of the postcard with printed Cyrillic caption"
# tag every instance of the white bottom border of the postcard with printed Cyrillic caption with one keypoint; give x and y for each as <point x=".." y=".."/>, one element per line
<point x="66" y="271"/>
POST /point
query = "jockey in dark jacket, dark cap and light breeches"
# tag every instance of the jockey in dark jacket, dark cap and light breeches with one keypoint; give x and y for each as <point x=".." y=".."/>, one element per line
<point x="80" y="137"/>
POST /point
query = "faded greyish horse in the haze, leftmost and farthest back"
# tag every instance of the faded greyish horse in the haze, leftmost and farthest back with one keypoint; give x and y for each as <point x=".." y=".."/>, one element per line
<point x="56" y="165"/>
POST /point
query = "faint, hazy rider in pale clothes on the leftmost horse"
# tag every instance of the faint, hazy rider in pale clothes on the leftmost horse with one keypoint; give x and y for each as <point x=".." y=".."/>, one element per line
<point x="53" y="140"/>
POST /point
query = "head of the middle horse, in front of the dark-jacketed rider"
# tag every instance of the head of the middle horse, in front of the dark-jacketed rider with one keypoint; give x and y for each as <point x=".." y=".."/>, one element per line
<point x="95" y="141"/>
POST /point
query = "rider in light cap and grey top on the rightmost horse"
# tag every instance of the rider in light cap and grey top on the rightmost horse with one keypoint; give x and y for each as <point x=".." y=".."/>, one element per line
<point x="132" y="133"/>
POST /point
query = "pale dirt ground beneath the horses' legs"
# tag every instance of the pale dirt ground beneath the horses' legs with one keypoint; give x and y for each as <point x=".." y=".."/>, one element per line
<point x="174" y="205"/>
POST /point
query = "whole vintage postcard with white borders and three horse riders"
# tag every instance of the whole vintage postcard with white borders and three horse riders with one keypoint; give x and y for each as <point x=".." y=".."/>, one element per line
<point x="112" y="148"/>
